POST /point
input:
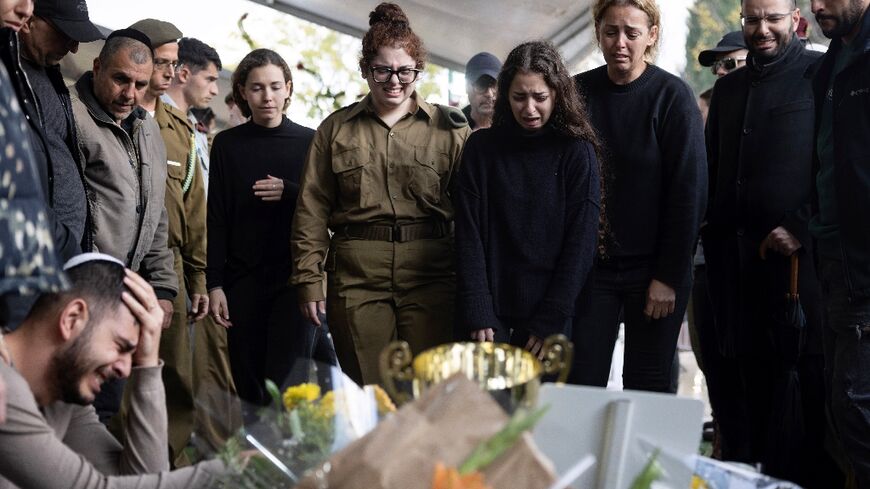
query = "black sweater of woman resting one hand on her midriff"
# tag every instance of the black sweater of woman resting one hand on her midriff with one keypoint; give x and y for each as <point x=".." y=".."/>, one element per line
<point x="245" y="234"/>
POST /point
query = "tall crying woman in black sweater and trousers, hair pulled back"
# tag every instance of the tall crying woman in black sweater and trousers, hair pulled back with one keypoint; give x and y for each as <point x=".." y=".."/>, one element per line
<point x="653" y="140"/>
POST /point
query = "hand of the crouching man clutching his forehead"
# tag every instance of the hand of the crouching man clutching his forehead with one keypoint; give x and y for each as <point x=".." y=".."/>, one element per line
<point x="149" y="314"/>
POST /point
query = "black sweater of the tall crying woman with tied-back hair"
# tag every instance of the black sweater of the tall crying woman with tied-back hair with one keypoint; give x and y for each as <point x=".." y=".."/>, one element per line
<point x="653" y="139"/>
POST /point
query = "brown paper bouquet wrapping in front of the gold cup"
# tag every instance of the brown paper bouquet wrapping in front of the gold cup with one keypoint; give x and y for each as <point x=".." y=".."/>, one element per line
<point x="444" y="425"/>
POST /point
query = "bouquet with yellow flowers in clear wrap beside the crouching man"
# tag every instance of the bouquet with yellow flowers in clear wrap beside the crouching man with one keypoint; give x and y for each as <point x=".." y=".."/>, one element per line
<point x="299" y="430"/>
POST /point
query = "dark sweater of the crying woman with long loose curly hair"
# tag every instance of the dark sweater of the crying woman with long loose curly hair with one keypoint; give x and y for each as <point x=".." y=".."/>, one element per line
<point x="527" y="210"/>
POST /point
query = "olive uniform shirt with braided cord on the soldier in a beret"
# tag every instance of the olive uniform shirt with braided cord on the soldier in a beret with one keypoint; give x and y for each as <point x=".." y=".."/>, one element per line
<point x="186" y="209"/>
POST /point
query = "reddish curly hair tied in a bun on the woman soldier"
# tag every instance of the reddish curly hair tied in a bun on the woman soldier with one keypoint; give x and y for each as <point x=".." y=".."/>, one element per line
<point x="390" y="27"/>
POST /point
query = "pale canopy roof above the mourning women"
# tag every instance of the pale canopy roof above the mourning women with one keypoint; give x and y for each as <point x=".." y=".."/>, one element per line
<point x="455" y="30"/>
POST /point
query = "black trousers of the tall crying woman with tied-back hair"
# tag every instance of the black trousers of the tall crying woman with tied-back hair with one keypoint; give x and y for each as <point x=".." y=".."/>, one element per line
<point x="650" y="344"/>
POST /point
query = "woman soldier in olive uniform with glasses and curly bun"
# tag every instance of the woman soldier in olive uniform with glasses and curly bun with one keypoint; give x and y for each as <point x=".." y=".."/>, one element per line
<point x="377" y="175"/>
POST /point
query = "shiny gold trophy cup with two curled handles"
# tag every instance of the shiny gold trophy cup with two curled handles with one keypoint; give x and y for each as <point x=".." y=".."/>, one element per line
<point x="511" y="374"/>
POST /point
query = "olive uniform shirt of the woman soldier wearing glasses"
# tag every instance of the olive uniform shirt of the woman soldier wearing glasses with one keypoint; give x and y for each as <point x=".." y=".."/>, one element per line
<point x="359" y="171"/>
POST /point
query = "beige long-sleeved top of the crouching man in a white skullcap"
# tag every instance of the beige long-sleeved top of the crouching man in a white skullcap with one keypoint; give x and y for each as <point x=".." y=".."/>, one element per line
<point x="65" y="445"/>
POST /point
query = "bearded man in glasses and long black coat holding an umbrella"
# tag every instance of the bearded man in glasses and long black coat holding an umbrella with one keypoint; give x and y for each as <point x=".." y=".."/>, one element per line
<point x="760" y="163"/>
